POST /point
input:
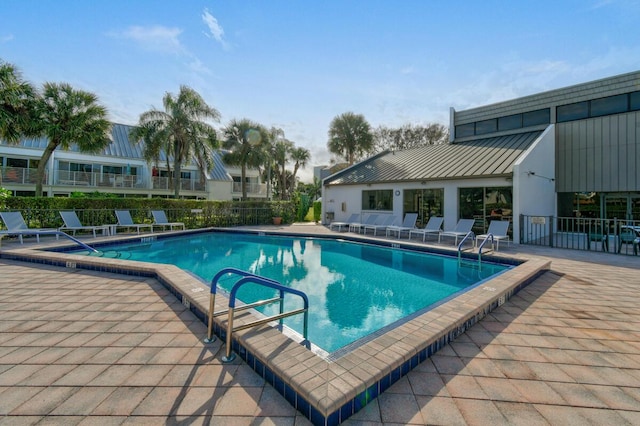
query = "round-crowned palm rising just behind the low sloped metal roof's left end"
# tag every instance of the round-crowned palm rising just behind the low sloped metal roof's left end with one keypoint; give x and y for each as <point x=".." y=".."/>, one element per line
<point x="350" y="136"/>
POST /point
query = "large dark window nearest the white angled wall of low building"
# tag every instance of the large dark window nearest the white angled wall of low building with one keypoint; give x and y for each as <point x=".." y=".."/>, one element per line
<point x="485" y="205"/>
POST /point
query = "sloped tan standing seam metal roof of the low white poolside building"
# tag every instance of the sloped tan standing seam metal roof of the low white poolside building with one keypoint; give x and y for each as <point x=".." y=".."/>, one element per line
<point x="473" y="159"/>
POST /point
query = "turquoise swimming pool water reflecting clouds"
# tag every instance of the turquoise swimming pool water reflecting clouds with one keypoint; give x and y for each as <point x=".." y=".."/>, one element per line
<point x="354" y="289"/>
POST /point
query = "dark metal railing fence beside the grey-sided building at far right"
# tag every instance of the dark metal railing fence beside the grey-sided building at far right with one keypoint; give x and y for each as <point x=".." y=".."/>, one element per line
<point x="609" y="235"/>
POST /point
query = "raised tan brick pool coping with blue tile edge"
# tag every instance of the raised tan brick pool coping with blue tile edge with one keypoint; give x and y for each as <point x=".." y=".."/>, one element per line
<point x="326" y="391"/>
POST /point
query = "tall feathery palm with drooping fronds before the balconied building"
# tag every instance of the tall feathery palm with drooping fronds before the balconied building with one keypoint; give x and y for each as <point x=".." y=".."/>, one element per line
<point x="180" y="131"/>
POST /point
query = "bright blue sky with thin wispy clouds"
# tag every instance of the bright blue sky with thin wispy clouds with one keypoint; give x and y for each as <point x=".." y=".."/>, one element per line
<point x="298" y="64"/>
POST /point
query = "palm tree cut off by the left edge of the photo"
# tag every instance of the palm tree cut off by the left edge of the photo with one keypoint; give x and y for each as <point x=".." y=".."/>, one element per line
<point x="17" y="105"/>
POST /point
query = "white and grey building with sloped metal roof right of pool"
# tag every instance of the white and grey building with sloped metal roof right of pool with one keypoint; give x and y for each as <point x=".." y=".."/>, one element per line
<point x="538" y="156"/>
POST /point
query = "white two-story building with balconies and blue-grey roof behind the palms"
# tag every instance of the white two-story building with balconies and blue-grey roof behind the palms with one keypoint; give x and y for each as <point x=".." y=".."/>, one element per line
<point x="119" y="169"/>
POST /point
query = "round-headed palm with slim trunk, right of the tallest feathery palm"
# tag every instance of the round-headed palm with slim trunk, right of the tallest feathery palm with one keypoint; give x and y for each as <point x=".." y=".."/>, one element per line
<point x="247" y="142"/>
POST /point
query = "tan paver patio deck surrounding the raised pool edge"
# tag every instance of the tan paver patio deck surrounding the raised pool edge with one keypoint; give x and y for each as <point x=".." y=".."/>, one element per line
<point x="77" y="348"/>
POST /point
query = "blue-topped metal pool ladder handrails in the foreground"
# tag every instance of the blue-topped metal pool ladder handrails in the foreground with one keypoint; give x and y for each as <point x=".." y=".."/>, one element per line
<point x="247" y="278"/>
